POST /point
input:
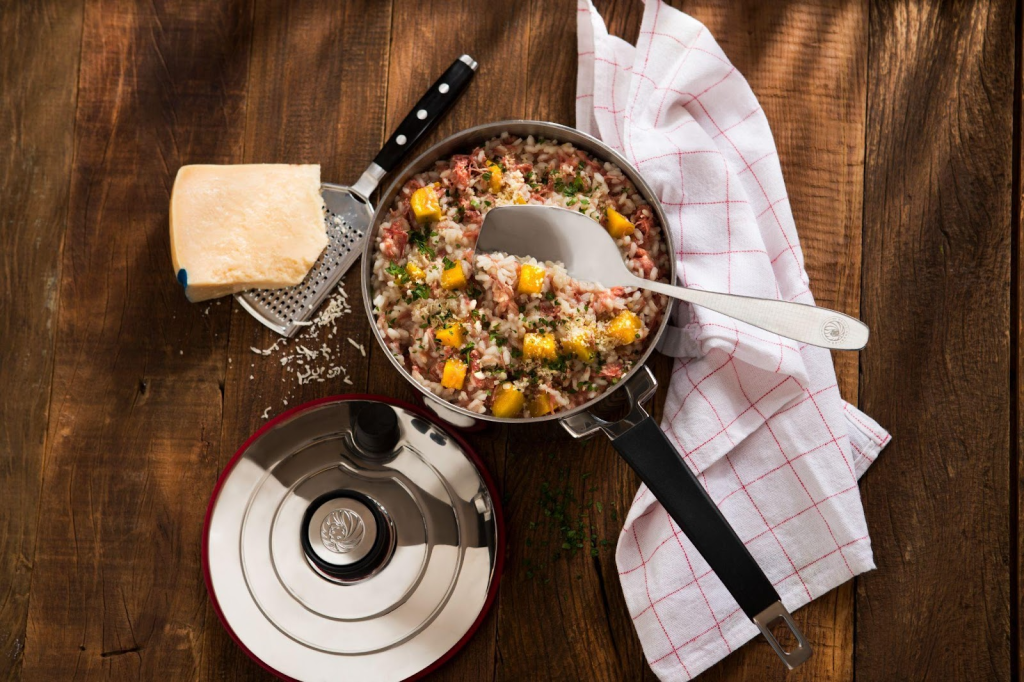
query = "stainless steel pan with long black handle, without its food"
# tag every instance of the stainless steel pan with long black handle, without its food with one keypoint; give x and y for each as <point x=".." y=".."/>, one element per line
<point x="637" y="438"/>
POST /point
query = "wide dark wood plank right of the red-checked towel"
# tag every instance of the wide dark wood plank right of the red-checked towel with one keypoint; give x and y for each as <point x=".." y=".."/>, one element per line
<point x="937" y="226"/>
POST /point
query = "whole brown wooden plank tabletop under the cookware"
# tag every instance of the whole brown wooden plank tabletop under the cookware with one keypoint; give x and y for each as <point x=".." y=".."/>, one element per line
<point x="899" y="129"/>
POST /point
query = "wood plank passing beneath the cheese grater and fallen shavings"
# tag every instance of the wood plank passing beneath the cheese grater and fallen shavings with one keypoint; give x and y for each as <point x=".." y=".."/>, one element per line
<point x="317" y="95"/>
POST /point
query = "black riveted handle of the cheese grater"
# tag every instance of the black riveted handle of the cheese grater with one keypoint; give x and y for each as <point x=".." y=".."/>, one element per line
<point x="428" y="112"/>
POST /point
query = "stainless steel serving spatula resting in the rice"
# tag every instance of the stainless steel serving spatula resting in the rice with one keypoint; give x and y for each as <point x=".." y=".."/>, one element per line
<point x="590" y="254"/>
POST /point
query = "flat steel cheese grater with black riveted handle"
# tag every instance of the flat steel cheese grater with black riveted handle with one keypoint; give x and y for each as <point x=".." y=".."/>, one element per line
<point x="350" y="212"/>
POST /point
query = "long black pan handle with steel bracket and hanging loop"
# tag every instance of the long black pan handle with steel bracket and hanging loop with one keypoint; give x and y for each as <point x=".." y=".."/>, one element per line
<point x="652" y="455"/>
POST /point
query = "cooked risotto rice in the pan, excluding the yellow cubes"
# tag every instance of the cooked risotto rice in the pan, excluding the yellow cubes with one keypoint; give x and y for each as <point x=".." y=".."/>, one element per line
<point x="495" y="318"/>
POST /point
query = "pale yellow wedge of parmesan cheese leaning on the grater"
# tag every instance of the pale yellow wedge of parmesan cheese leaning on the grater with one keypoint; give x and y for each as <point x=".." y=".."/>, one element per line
<point x="246" y="227"/>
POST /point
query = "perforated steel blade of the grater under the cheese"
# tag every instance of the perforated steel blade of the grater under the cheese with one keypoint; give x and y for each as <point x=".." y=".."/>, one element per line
<point x="348" y="219"/>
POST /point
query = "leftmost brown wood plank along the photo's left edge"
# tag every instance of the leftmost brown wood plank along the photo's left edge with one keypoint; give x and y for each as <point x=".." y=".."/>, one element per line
<point x="39" y="56"/>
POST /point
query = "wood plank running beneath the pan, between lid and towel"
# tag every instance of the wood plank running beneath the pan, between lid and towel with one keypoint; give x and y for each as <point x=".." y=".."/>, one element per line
<point x="565" y="618"/>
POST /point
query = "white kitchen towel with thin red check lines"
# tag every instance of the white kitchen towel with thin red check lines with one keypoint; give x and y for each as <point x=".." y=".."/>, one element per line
<point x="758" y="417"/>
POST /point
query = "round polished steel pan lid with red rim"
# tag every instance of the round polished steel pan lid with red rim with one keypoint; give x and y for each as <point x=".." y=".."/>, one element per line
<point x="353" y="538"/>
